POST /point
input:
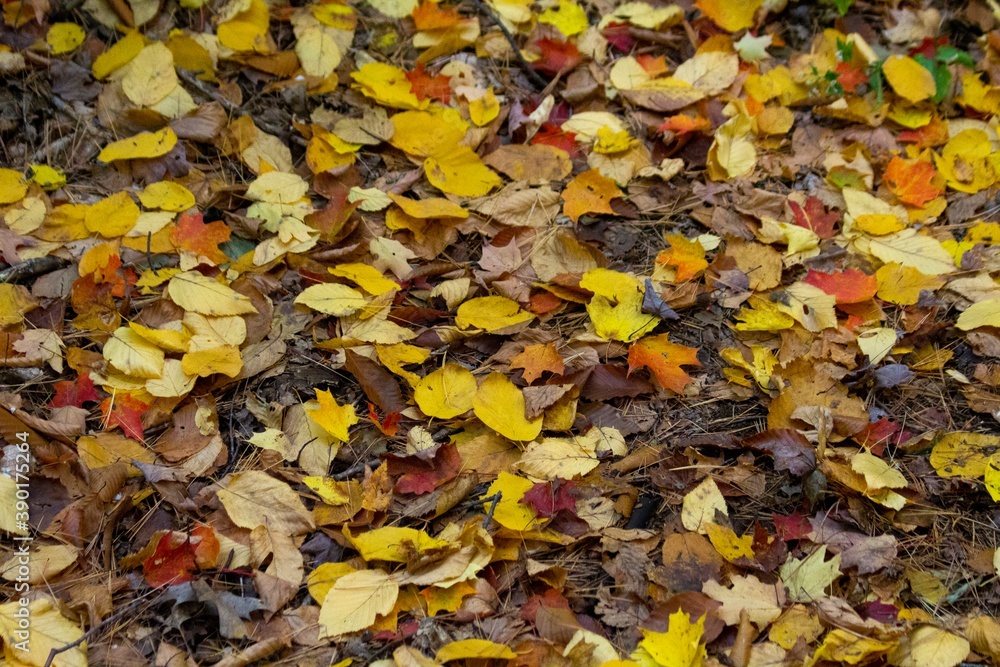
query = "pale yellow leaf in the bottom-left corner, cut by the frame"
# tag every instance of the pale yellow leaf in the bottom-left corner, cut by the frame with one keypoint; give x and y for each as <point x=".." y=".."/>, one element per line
<point x="49" y="630"/>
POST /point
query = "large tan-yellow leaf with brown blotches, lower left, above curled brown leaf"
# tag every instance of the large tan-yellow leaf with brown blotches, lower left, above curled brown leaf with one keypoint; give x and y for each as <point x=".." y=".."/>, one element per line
<point x="254" y="498"/>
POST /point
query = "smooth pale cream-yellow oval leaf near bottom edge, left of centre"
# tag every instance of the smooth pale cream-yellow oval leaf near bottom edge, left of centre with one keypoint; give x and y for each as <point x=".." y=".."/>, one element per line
<point x="355" y="600"/>
